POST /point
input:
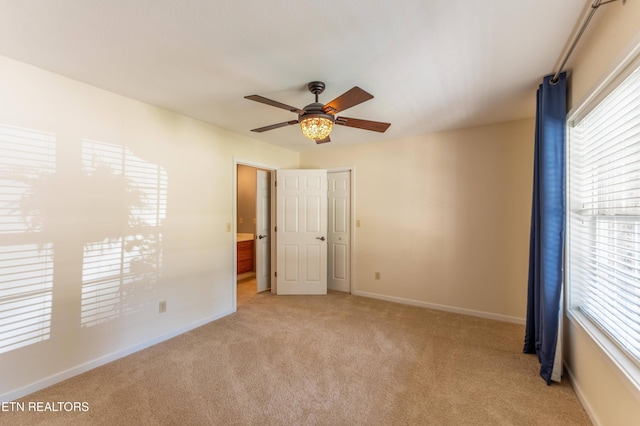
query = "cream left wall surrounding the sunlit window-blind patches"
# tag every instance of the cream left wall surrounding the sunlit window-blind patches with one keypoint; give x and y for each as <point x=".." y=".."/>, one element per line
<point x="198" y="274"/>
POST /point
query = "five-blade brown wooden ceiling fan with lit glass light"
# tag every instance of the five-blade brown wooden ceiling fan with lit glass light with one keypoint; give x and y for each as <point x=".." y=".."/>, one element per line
<point x="317" y="120"/>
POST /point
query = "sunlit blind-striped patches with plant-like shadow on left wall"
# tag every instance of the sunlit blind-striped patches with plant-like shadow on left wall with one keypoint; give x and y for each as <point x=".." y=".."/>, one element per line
<point x="109" y="213"/>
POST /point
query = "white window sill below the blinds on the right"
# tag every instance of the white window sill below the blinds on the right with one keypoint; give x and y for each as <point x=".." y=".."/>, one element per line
<point x="625" y="369"/>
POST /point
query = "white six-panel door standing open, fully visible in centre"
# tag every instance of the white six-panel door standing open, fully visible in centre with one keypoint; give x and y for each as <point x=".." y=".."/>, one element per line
<point x="301" y="231"/>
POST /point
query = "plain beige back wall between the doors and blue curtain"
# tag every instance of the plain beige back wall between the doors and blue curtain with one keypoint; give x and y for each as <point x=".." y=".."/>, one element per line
<point x="444" y="217"/>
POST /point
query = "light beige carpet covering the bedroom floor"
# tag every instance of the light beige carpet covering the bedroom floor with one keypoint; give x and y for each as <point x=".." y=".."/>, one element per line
<point x="322" y="360"/>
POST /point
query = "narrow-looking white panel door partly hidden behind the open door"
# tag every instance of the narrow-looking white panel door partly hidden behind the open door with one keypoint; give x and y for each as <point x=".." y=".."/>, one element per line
<point x="339" y="244"/>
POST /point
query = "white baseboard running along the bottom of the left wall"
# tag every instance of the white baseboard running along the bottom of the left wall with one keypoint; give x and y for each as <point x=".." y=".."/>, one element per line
<point x="74" y="371"/>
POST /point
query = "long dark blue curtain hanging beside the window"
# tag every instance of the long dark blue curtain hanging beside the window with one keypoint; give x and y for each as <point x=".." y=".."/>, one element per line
<point x="546" y="247"/>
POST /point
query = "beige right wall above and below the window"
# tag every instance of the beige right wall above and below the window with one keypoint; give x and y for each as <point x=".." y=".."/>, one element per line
<point x="609" y="398"/>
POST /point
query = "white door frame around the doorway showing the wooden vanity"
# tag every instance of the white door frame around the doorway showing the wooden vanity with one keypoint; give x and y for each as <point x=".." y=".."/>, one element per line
<point x="234" y="226"/>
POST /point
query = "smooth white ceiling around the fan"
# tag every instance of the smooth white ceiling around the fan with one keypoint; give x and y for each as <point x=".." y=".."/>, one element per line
<point x="431" y="64"/>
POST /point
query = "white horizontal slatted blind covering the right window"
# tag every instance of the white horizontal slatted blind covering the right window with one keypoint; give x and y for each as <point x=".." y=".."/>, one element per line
<point x="604" y="217"/>
